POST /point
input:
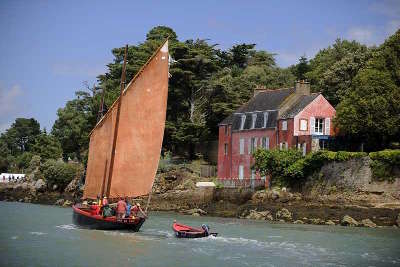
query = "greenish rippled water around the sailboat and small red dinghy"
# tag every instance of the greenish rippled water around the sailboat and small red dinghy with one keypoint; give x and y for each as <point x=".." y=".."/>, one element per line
<point x="38" y="235"/>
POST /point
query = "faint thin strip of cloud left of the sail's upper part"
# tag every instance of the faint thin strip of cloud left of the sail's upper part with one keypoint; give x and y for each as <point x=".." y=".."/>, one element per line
<point x="78" y="69"/>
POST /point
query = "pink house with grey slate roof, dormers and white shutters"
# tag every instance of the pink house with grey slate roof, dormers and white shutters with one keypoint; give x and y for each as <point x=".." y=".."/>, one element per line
<point x="282" y="118"/>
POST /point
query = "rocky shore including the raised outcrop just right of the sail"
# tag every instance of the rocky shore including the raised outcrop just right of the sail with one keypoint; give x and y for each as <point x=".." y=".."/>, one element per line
<point x="175" y="191"/>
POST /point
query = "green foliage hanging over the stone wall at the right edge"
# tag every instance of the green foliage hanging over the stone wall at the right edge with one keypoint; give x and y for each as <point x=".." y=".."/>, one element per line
<point x="384" y="164"/>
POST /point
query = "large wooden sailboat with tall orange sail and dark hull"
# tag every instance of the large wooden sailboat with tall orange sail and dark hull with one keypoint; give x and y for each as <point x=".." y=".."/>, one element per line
<point x="125" y="145"/>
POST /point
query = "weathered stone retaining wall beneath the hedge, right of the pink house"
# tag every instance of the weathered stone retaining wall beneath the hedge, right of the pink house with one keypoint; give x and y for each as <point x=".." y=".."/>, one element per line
<point x="354" y="174"/>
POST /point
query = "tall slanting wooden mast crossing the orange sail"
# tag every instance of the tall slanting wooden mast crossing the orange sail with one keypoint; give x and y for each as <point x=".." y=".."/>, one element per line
<point x="122" y="87"/>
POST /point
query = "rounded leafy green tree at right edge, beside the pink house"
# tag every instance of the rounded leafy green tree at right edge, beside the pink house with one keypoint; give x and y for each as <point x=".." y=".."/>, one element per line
<point x="371" y="110"/>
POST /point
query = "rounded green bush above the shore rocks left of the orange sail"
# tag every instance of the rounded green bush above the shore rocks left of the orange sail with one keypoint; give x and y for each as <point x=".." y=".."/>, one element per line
<point x="59" y="172"/>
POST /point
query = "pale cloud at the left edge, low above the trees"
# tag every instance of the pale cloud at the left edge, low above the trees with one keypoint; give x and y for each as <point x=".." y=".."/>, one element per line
<point x="9" y="105"/>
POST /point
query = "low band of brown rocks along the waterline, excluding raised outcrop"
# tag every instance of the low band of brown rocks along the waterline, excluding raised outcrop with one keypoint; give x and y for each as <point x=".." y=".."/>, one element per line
<point x="269" y="206"/>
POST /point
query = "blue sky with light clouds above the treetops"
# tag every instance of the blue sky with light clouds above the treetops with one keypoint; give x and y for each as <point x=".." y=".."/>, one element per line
<point x="48" y="49"/>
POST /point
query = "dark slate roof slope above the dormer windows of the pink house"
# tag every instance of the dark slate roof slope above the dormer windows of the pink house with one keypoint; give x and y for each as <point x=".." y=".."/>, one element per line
<point x="267" y="100"/>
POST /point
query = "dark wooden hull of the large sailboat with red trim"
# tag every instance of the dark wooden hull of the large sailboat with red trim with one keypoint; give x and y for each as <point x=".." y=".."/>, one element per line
<point x="85" y="219"/>
